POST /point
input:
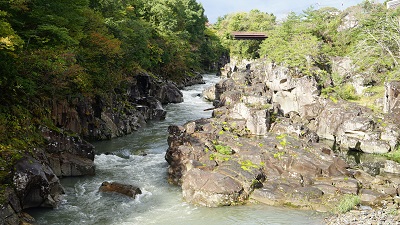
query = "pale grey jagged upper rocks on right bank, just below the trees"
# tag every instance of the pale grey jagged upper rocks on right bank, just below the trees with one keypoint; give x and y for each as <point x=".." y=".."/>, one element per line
<point x="273" y="87"/>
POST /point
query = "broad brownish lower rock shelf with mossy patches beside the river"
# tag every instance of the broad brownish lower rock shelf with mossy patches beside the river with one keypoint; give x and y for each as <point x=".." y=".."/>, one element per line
<point x="217" y="164"/>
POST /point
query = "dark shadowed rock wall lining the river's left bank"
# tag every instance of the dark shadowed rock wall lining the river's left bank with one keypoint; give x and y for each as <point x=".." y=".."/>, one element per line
<point x="67" y="152"/>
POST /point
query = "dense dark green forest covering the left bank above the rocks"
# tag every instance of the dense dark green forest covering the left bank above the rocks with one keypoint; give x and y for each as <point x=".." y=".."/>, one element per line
<point x="87" y="48"/>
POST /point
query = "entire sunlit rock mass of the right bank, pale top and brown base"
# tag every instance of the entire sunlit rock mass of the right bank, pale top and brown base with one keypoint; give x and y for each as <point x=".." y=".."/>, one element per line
<point x="274" y="139"/>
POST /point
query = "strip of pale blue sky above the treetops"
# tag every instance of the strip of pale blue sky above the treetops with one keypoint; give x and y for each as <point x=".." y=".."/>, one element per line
<point x="280" y="8"/>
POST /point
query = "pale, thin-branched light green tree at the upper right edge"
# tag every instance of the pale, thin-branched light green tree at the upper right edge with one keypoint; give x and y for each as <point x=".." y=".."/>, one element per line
<point x="377" y="50"/>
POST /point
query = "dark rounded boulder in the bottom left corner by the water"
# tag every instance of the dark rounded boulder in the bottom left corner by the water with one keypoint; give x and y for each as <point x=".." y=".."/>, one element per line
<point x="34" y="185"/>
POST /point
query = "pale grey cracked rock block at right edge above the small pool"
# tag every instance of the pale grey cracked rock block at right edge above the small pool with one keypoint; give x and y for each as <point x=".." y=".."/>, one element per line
<point x="355" y="127"/>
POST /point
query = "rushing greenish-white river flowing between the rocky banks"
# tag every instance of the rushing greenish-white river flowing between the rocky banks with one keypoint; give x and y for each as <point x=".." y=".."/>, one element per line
<point x="138" y="159"/>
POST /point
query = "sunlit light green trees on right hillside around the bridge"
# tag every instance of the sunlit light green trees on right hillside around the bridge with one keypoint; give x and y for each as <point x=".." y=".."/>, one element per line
<point x="309" y="42"/>
